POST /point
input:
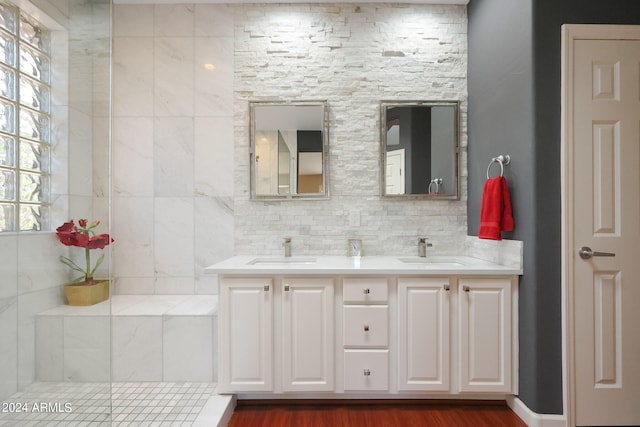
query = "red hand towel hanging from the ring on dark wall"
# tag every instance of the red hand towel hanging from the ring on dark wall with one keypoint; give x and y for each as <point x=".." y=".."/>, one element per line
<point x="495" y="214"/>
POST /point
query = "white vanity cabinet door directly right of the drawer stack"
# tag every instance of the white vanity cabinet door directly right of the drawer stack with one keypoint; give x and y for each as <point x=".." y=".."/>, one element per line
<point x="423" y="348"/>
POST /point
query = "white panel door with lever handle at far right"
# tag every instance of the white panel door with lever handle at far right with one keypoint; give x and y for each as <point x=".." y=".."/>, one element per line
<point x="605" y="156"/>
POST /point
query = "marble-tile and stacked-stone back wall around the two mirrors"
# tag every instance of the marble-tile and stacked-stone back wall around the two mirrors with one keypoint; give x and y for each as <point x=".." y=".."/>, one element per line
<point x="181" y="140"/>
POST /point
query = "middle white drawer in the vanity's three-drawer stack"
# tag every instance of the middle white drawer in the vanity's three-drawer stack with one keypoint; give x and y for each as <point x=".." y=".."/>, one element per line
<point x="366" y="326"/>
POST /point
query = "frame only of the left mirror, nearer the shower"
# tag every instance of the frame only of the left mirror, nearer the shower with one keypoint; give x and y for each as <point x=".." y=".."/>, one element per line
<point x="325" y="150"/>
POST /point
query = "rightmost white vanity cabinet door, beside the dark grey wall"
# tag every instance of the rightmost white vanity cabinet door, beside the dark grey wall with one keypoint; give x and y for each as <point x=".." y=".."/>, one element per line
<point x="485" y="335"/>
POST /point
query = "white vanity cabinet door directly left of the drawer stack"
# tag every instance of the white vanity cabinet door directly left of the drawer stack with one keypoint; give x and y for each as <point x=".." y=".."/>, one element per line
<point x="307" y="334"/>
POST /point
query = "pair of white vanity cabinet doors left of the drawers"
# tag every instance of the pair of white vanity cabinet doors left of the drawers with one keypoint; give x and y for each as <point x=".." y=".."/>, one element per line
<point x="276" y="334"/>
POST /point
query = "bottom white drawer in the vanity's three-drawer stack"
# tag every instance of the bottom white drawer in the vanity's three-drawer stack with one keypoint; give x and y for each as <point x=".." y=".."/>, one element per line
<point x="366" y="370"/>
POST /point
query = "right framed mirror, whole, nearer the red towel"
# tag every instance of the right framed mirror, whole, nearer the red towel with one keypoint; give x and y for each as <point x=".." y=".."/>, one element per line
<point x="419" y="149"/>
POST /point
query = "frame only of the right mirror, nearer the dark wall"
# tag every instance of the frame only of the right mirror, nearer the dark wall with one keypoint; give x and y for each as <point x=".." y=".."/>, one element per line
<point x="384" y="105"/>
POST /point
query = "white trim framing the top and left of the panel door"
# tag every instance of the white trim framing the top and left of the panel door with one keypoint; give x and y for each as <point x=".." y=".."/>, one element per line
<point x="570" y="33"/>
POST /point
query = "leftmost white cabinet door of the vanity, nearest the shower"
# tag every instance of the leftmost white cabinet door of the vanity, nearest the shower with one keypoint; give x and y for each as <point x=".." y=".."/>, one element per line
<point x="246" y="334"/>
